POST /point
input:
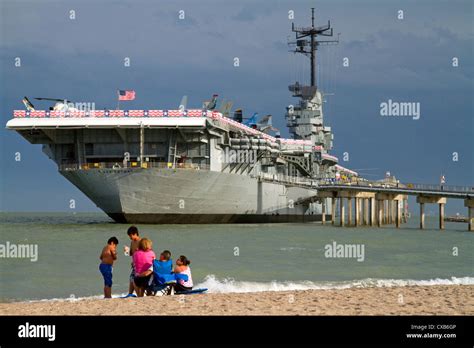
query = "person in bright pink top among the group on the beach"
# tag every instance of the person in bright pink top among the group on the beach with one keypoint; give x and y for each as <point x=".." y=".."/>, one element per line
<point x="143" y="264"/>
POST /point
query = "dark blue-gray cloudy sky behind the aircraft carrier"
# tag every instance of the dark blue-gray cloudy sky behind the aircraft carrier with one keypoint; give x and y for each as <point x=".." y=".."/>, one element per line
<point x="406" y="60"/>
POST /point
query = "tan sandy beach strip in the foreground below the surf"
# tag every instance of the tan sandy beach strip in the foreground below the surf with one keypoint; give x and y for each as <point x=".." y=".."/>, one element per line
<point x="409" y="300"/>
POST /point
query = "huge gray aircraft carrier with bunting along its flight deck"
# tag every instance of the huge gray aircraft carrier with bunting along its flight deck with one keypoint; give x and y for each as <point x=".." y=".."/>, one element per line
<point x="194" y="165"/>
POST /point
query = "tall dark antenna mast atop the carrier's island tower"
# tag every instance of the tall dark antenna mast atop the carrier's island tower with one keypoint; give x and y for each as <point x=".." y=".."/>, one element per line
<point x="307" y="42"/>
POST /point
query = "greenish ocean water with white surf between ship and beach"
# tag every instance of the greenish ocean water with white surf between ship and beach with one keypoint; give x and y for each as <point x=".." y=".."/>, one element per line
<point x="231" y="258"/>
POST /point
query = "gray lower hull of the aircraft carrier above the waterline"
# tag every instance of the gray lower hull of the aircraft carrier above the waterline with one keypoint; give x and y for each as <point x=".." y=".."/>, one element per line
<point x="191" y="196"/>
